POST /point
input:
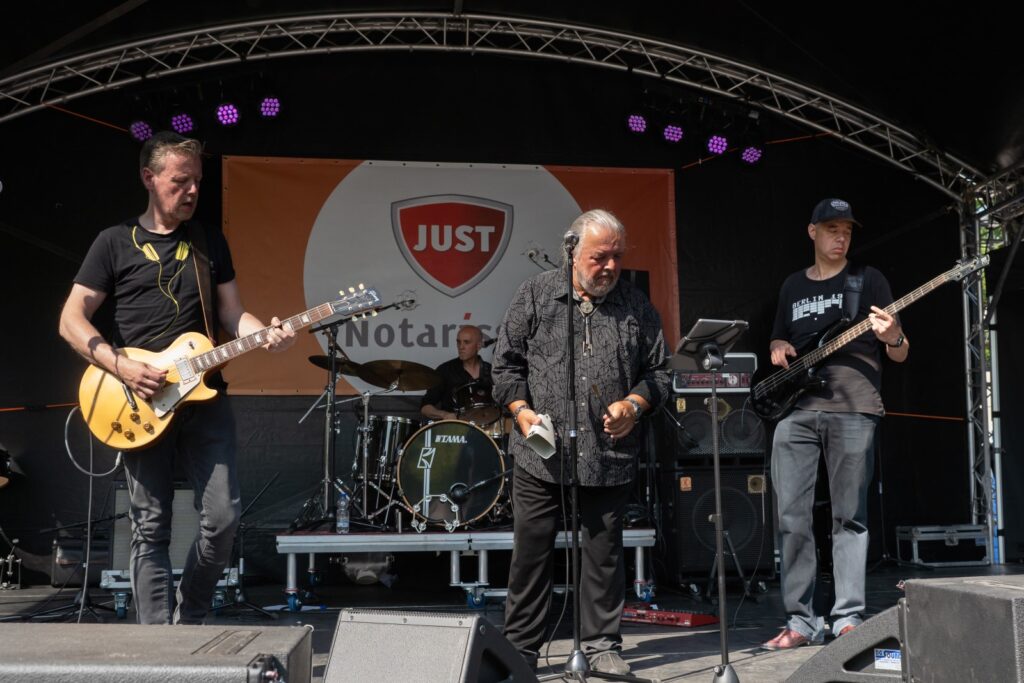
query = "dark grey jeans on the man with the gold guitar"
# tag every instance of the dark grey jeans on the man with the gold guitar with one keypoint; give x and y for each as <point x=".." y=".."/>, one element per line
<point x="202" y="441"/>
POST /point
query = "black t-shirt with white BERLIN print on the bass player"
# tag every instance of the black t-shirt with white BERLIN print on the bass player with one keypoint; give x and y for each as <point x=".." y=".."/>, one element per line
<point x="854" y="375"/>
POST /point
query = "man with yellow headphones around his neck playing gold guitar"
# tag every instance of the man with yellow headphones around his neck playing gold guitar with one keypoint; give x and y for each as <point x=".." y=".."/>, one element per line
<point x="149" y="269"/>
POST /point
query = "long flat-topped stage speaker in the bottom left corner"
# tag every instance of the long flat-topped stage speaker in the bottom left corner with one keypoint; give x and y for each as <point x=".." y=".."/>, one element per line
<point x="133" y="654"/>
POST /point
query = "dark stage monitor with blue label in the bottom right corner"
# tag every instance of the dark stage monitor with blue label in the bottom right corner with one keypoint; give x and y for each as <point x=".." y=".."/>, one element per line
<point x="945" y="631"/>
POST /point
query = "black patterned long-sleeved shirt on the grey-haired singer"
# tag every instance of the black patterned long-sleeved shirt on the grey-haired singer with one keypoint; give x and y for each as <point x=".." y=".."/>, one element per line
<point x="626" y="355"/>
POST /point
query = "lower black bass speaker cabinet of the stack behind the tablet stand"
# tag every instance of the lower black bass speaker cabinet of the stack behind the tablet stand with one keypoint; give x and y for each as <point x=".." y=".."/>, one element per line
<point x="747" y="516"/>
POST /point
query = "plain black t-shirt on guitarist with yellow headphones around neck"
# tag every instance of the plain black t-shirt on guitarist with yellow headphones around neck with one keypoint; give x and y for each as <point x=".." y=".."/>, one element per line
<point x="151" y="281"/>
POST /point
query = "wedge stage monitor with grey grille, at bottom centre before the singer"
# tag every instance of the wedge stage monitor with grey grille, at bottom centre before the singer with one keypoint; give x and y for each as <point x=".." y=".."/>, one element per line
<point x="382" y="646"/>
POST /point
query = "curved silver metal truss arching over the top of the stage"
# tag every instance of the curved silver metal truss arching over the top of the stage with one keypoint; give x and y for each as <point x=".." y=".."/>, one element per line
<point x="146" y="61"/>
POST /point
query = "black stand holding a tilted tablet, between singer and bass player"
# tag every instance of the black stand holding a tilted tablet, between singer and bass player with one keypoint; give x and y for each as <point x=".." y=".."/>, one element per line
<point x="704" y="348"/>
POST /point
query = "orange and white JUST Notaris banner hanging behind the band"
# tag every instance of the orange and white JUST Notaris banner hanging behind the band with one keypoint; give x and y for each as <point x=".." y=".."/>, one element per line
<point x="460" y="237"/>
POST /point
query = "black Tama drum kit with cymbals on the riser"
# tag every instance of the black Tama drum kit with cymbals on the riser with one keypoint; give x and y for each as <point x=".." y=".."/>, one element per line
<point x="448" y="475"/>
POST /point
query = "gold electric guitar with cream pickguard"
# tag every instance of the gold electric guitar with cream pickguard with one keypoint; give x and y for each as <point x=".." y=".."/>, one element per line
<point x="124" y="421"/>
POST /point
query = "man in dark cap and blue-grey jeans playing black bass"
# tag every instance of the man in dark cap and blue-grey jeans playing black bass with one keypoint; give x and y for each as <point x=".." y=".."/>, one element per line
<point x="838" y="421"/>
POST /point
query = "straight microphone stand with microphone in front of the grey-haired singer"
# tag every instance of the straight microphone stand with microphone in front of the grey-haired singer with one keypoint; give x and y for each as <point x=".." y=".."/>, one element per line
<point x="577" y="667"/>
